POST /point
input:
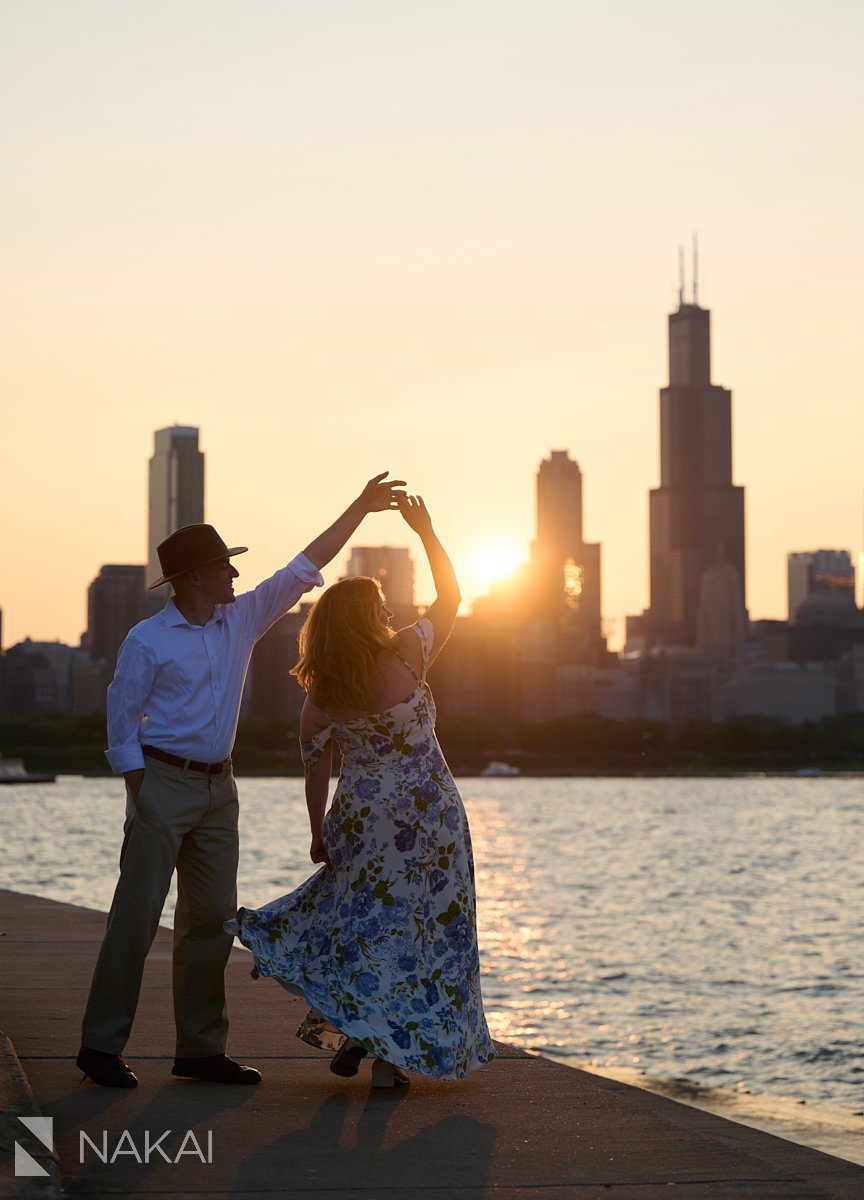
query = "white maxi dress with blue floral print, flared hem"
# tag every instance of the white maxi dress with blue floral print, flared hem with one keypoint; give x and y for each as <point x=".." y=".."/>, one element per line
<point x="383" y="943"/>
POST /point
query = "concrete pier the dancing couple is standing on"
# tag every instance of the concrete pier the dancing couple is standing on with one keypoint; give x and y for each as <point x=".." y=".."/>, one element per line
<point x="520" y="1130"/>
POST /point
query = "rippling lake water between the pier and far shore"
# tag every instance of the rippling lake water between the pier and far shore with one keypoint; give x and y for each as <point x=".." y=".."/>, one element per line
<point x="698" y="937"/>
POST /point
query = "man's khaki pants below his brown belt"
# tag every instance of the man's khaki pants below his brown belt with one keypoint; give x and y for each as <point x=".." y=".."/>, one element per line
<point x="187" y="820"/>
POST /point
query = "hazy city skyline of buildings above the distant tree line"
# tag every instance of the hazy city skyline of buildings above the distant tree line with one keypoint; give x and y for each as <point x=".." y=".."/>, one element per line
<point x="535" y="647"/>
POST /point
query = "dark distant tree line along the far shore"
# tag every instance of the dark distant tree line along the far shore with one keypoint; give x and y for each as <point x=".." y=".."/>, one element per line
<point x="567" y="746"/>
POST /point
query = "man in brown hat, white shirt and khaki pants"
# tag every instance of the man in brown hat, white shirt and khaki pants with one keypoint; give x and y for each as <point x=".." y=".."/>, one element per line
<point x="173" y="710"/>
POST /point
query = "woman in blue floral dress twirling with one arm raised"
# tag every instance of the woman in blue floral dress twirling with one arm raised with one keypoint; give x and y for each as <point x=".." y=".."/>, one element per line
<point x="382" y="941"/>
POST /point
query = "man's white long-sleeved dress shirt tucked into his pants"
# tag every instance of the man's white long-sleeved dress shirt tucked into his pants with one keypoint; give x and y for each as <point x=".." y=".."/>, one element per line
<point x="179" y="687"/>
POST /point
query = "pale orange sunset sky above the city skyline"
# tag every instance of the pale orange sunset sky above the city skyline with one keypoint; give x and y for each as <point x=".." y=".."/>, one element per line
<point x="343" y="239"/>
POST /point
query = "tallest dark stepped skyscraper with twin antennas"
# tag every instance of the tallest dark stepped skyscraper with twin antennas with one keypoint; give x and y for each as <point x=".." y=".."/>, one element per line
<point x="697" y="513"/>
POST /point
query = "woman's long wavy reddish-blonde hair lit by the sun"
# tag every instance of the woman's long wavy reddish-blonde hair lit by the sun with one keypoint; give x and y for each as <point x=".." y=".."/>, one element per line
<point x="340" y="643"/>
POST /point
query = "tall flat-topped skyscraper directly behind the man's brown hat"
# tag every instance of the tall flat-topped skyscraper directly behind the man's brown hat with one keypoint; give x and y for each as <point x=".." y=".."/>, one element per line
<point x="177" y="494"/>
